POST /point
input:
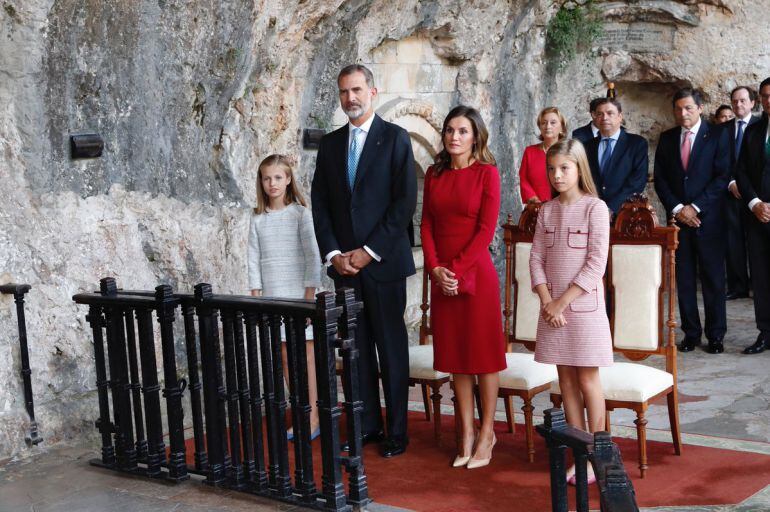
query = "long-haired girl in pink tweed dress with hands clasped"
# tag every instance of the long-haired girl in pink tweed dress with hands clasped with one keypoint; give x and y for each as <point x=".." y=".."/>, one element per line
<point x="568" y="259"/>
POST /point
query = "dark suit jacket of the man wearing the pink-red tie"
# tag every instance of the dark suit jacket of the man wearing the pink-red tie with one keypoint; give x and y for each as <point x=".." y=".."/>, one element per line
<point x="705" y="180"/>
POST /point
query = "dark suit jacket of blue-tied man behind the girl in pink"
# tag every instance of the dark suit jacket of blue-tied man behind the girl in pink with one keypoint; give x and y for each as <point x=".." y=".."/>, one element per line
<point x="626" y="172"/>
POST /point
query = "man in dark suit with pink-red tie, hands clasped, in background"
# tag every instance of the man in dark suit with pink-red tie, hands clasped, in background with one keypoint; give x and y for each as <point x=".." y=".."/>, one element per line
<point x="691" y="172"/>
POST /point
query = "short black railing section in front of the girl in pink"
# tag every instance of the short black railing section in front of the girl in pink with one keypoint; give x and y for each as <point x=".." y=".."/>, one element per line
<point x="615" y="489"/>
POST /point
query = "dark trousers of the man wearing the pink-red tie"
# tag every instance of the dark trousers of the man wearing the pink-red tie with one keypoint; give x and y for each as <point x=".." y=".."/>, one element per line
<point x="704" y="257"/>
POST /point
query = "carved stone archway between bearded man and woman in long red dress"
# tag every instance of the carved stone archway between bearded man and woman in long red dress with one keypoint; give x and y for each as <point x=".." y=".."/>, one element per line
<point x="423" y="123"/>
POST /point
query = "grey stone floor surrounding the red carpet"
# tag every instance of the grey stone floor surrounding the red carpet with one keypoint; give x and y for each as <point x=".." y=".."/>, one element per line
<point x="724" y="404"/>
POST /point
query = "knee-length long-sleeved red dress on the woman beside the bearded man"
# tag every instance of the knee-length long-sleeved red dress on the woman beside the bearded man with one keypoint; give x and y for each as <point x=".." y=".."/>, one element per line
<point x="459" y="217"/>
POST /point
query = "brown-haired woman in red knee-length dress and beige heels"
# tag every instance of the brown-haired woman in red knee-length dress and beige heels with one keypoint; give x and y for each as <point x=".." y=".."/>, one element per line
<point x="460" y="213"/>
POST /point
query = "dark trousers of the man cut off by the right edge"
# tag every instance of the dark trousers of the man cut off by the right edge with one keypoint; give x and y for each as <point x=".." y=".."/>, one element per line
<point x="758" y="236"/>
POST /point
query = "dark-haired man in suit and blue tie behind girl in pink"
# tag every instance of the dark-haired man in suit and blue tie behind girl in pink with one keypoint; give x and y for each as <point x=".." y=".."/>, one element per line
<point x="618" y="159"/>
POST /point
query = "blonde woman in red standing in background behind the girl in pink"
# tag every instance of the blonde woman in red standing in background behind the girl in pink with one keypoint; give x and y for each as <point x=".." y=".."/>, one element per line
<point x="533" y="178"/>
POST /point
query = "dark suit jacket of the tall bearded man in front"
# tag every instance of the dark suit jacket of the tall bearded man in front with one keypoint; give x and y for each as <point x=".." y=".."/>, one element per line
<point x="377" y="211"/>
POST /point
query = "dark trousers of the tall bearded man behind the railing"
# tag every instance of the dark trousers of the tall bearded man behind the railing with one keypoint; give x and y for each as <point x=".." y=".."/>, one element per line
<point x="381" y="334"/>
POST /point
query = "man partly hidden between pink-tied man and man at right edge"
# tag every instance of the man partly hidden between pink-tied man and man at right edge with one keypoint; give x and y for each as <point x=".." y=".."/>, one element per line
<point x="742" y="99"/>
